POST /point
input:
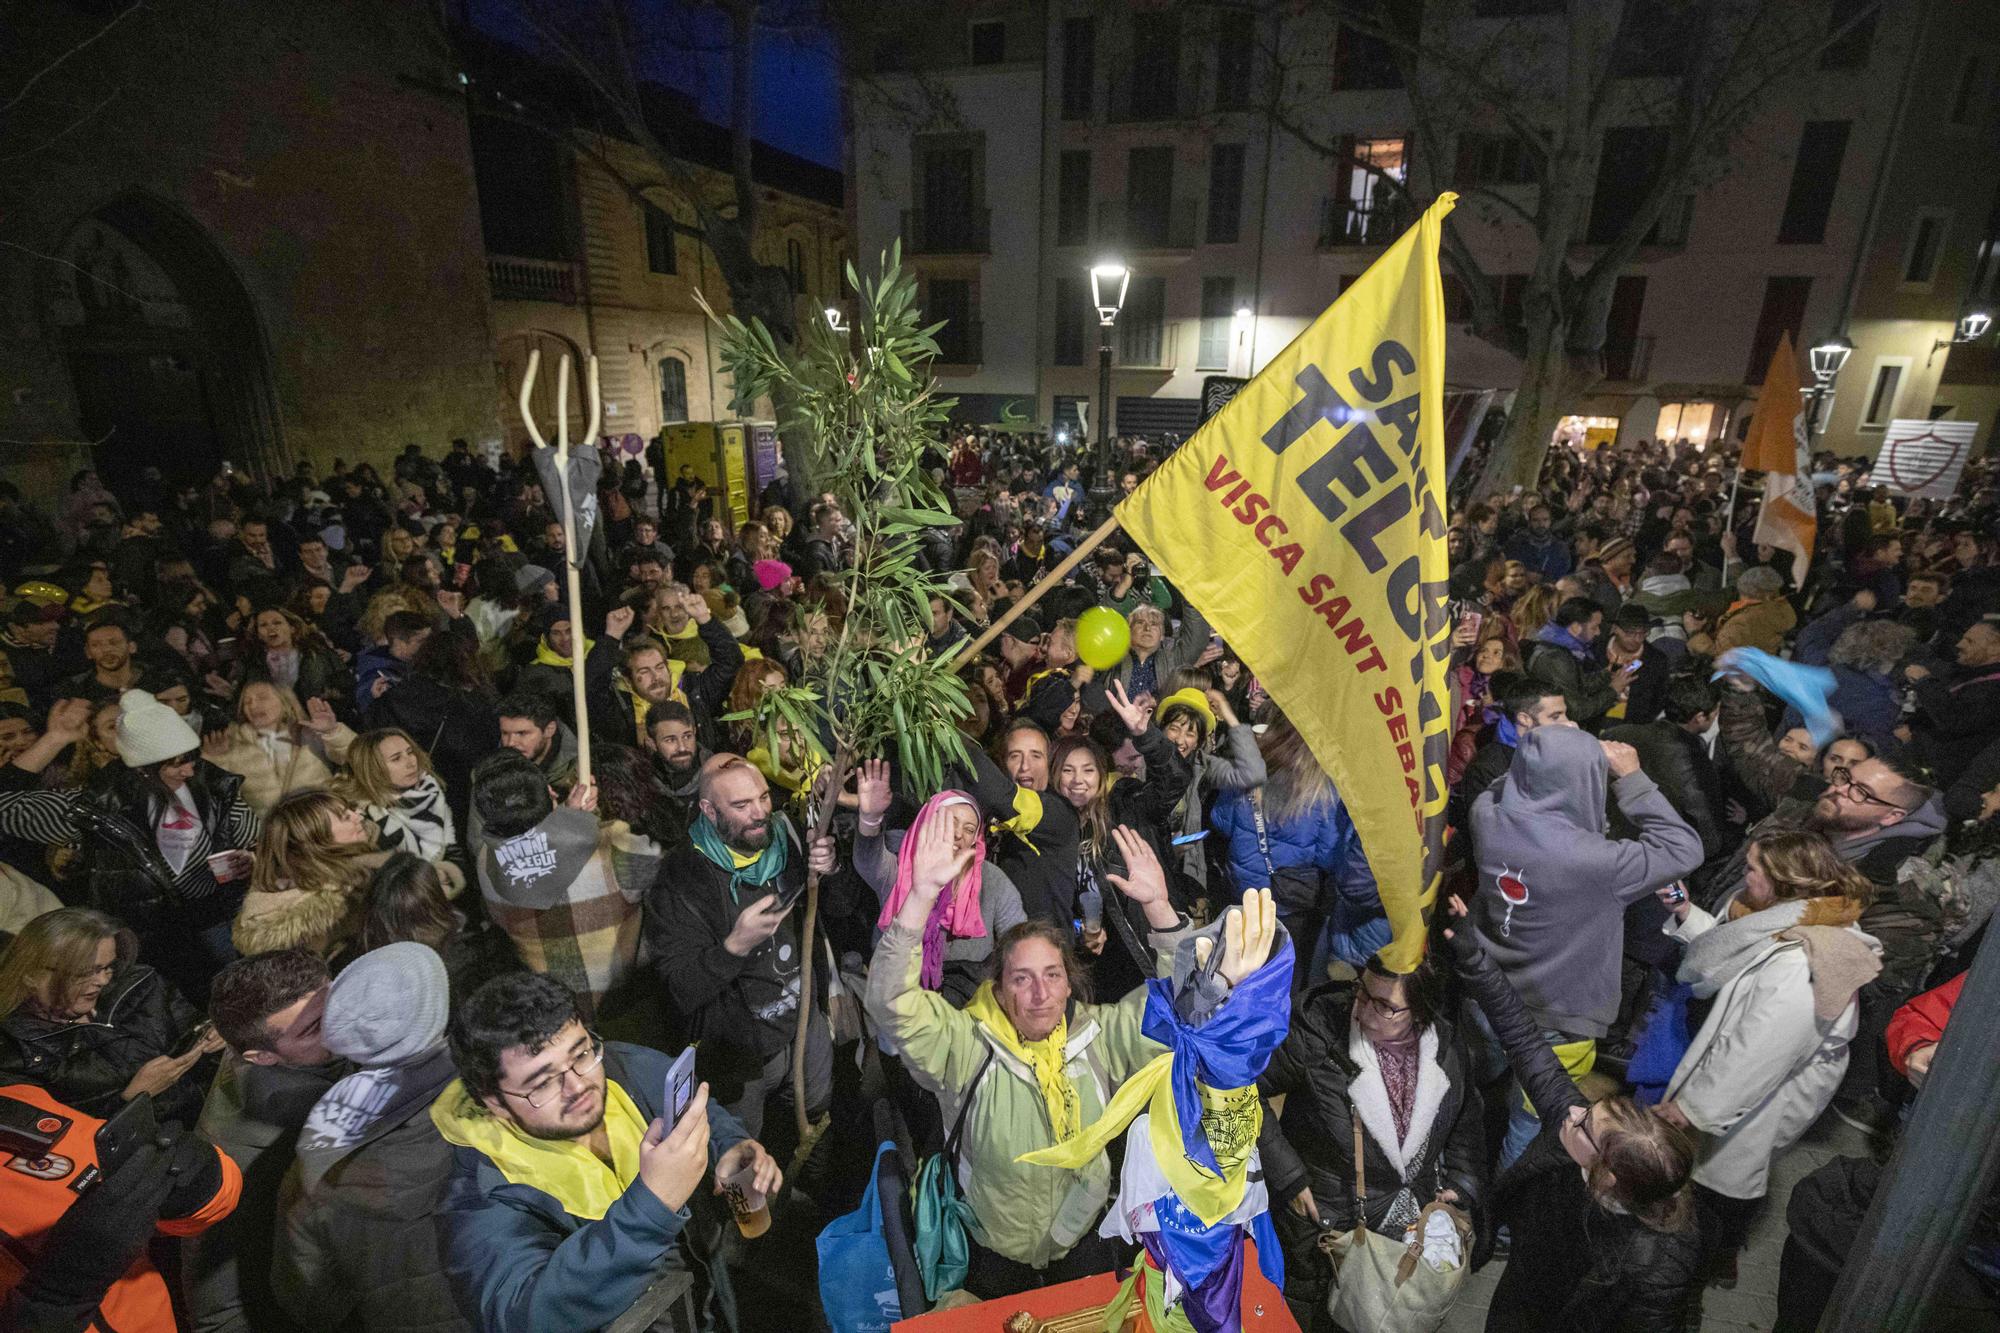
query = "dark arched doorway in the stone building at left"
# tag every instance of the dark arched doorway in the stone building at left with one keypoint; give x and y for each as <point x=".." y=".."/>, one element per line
<point x="165" y="349"/>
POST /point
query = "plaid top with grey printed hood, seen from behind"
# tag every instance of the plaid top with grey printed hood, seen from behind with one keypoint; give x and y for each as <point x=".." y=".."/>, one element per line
<point x="555" y="892"/>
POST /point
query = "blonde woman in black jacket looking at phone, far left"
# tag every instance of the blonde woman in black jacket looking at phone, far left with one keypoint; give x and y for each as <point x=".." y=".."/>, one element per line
<point x="91" y="1024"/>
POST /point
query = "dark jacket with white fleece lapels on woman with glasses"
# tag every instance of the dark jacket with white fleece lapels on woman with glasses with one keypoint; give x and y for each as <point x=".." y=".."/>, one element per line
<point x="1313" y="1144"/>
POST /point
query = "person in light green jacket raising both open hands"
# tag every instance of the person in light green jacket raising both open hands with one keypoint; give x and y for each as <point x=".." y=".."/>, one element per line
<point x="1033" y="1056"/>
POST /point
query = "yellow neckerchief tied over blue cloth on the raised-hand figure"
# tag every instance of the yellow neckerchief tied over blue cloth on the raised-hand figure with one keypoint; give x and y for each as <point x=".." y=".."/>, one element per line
<point x="1231" y="1120"/>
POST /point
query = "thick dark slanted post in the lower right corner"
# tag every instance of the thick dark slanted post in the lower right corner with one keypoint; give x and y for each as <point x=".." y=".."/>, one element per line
<point x="1939" y="1178"/>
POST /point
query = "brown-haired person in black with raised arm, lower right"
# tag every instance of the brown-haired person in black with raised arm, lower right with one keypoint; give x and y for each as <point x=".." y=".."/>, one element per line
<point x="1601" y="1206"/>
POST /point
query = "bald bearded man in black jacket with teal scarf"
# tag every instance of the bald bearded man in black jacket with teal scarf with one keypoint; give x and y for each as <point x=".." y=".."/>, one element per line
<point x="723" y="940"/>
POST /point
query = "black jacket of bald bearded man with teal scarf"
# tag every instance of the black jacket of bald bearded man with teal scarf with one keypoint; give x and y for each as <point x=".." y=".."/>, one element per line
<point x="741" y="1010"/>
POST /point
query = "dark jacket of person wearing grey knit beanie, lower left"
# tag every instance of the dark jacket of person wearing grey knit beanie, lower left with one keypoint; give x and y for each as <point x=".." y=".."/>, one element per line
<point x="361" y="1244"/>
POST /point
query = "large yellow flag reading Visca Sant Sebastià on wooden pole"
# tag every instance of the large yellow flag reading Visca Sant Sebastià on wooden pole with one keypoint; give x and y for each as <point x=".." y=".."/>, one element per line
<point x="1307" y="521"/>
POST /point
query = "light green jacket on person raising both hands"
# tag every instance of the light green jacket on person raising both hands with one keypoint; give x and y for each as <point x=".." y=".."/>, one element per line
<point x="1019" y="1212"/>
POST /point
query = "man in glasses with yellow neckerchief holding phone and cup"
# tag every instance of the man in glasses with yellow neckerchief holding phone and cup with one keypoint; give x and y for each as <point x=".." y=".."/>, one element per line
<point x="571" y="1188"/>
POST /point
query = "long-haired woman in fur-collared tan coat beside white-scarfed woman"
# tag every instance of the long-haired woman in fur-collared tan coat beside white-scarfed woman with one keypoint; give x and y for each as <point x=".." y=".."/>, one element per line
<point x="309" y="888"/>
